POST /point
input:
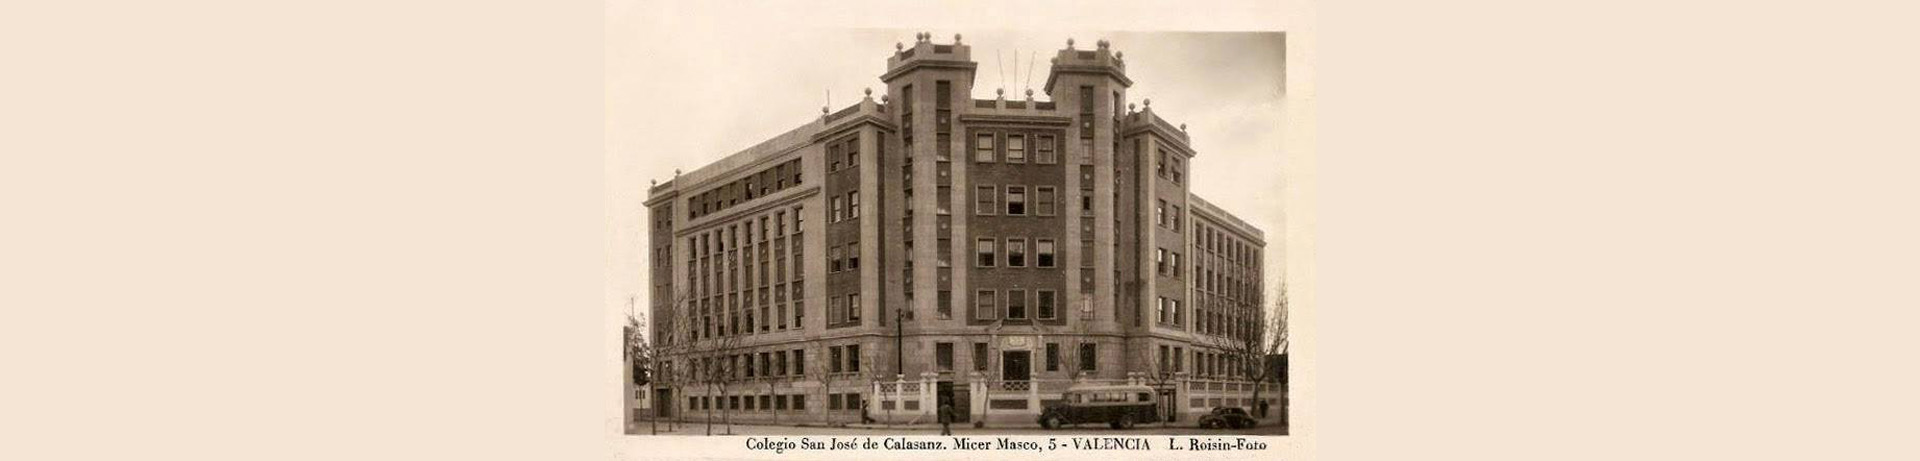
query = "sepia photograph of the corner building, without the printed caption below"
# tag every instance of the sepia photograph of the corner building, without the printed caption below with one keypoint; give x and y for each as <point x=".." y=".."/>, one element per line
<point x="853" y="231"/>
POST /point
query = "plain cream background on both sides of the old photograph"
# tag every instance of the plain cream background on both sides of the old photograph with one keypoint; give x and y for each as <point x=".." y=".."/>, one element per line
<point x="377" y="230"/>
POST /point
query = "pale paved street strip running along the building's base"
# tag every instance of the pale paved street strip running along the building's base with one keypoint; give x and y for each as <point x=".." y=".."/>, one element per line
<point x="700" y="429"/>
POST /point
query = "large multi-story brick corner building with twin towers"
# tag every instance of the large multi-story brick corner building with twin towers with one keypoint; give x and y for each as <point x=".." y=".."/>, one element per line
<point x="930" y="247"/>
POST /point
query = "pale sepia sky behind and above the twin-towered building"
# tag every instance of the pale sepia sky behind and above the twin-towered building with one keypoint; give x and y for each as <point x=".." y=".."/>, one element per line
<point x="688" y="91"/>
